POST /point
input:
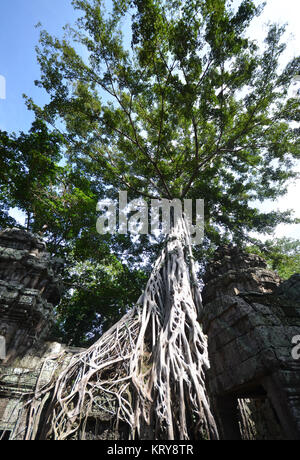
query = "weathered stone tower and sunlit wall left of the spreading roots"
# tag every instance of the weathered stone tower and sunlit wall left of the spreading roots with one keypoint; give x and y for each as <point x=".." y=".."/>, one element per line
<point x="30" y="288"/>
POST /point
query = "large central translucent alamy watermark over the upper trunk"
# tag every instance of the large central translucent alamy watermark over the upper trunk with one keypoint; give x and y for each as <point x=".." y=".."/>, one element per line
<point x="133" y="217"/>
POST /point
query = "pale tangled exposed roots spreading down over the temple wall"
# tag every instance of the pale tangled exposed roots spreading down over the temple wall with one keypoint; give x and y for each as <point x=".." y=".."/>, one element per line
<point x="146" y="372"/>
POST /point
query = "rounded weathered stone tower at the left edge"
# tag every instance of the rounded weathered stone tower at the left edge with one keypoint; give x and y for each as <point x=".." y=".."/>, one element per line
<point x="29" y="290"/>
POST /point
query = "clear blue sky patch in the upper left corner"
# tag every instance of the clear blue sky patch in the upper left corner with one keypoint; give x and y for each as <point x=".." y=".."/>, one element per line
<point x="18" y="38"/>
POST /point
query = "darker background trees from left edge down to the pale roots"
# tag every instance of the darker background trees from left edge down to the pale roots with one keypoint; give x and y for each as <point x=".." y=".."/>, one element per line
<point x="61" y="202"/>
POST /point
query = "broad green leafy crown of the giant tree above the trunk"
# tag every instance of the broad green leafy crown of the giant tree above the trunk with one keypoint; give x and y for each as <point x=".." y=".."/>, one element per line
<point x="192" y="109"/>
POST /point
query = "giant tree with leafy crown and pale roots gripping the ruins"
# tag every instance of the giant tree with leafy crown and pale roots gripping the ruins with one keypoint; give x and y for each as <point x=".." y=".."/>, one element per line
<point x="192" y="108"/>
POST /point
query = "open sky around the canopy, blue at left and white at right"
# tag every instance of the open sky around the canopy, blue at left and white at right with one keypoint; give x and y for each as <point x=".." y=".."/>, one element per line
<point x="18" y="38"/>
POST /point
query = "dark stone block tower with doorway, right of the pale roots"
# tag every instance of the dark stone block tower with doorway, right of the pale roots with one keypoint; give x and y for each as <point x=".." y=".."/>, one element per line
<point x="251" y="318"/>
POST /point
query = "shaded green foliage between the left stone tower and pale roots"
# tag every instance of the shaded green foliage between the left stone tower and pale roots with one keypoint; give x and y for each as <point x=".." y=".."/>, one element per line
<point x="100" y="294"/>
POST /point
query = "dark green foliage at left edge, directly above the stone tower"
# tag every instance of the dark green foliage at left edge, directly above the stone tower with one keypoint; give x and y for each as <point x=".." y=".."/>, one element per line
<point x="28" y="165"/>
